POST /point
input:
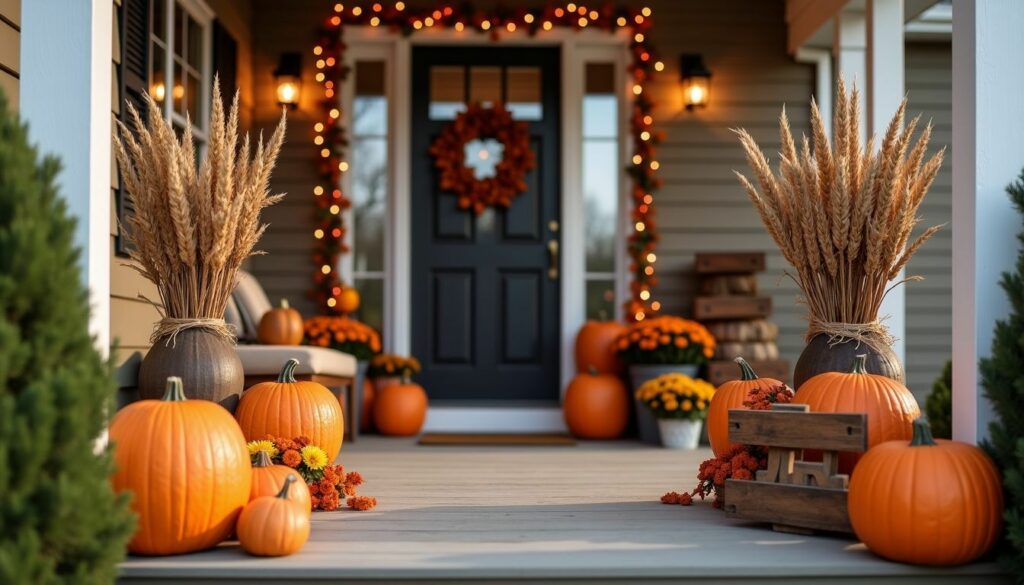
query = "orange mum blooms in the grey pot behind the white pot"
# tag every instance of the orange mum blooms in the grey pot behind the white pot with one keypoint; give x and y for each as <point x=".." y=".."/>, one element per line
<point x="666" y="340"/>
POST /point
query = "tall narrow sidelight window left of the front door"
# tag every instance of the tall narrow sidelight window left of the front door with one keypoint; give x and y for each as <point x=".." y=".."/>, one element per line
<point x="369" y="189"/>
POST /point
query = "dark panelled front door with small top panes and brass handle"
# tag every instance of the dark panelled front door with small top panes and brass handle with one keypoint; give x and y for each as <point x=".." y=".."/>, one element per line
<point x="486" y="295"/>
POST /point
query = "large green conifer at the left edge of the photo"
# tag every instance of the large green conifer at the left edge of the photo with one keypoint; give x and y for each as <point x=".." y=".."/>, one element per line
<point x="60" y="520"/>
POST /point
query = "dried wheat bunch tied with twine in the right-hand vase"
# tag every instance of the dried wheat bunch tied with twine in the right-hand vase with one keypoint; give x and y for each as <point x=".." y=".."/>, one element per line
<point x="843" y="215"/>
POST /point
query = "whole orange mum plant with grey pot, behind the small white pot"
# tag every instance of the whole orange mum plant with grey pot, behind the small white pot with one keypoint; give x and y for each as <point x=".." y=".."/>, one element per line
<point x="662" y="346"/>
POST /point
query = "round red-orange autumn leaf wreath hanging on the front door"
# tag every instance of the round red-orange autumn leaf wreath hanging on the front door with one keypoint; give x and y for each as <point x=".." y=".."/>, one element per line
<point x="449" y="151"/>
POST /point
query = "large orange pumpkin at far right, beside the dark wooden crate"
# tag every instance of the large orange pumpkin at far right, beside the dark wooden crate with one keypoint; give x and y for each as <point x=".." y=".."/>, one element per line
<point x="927" y="503"/>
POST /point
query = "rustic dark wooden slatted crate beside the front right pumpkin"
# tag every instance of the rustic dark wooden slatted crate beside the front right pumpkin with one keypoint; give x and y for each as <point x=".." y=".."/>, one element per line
<point x="794" y="495"/>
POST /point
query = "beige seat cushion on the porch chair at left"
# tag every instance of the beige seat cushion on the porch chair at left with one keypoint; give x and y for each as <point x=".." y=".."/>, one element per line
<point x="268" y="360"/>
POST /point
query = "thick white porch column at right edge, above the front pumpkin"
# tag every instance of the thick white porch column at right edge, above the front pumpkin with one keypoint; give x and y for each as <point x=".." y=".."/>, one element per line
<point x="989" y="123"/>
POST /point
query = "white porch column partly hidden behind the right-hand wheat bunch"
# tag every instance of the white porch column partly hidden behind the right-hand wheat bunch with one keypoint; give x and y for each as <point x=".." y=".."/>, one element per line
<point x="886" y="88"/>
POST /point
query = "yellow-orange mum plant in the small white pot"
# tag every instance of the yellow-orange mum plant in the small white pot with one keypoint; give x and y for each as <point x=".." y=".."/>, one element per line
<point x="680" y="405"/>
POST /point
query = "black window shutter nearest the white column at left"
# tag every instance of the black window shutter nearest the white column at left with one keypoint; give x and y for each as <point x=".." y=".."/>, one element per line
<point x="135" y="73"/>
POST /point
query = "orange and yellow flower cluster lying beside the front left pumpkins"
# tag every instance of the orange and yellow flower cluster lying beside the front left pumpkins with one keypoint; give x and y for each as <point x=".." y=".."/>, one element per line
<point x="329" y="485"/>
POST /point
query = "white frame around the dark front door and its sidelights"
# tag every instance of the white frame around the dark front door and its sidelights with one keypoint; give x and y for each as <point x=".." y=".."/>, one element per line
<point x="578" y="48"/>
